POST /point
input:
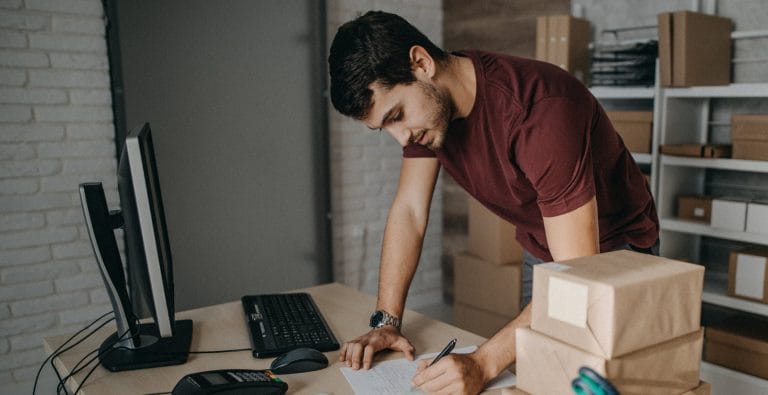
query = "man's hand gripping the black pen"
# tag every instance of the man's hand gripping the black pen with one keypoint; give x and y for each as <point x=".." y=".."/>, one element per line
<point x="453" y="374"/>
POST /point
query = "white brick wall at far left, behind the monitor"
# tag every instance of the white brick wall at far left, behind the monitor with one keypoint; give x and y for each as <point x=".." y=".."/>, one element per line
<point x="55" y="132"/>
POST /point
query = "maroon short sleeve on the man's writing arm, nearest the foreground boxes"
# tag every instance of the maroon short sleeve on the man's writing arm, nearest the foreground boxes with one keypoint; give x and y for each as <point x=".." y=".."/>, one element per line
<point x="553" y="150"/>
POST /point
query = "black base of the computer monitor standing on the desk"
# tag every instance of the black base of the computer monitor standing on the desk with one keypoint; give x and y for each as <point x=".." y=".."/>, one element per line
<point x="163" y="352"/>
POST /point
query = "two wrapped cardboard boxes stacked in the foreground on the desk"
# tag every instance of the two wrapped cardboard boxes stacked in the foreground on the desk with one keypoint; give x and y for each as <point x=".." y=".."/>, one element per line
<point x="631" y="317"/>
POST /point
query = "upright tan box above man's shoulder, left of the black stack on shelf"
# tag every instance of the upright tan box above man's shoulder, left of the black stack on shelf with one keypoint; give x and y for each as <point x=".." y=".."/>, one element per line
<point x="564" y="41"/>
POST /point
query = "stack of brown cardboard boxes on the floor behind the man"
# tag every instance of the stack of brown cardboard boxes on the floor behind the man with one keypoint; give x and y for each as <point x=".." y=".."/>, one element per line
<point x="487" y="277"/>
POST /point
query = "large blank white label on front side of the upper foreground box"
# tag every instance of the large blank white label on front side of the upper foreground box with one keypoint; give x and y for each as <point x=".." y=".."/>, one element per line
<point x="568" y="301"/>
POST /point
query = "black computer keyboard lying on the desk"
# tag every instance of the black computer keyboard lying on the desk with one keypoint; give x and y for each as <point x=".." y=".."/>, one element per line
<point x="279" y="323"/>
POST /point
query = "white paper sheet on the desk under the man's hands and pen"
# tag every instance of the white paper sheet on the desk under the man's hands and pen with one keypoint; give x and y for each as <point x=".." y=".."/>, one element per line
<point x="394" y="377"/>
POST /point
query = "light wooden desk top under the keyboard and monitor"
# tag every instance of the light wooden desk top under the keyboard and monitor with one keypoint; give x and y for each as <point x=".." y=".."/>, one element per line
<point x="223" y="327"/>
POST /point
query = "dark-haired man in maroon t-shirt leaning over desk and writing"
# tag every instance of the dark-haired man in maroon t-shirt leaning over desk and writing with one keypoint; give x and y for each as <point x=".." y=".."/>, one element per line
<point x="523" y="137"/>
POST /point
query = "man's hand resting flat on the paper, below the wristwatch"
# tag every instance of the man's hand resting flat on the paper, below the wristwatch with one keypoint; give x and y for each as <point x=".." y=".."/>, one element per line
<point x="359" y="352"/>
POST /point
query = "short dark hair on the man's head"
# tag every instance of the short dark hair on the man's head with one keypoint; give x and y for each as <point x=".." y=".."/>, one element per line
<point x="373" y="48"/>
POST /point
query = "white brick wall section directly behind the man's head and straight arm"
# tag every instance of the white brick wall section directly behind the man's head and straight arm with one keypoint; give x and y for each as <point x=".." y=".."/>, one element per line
<point x="365" y="168"/>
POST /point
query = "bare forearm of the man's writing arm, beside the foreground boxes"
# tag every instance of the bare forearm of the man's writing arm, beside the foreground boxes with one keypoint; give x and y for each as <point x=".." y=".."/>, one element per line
<point x="499" y="352"/>
